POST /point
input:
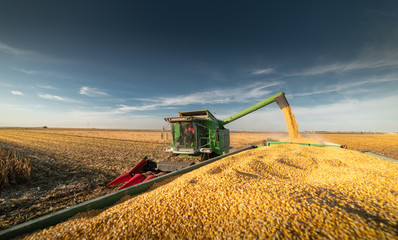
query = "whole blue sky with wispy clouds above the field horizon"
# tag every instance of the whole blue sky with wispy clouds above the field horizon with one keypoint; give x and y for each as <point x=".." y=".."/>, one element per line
<point x="129" y="64"/>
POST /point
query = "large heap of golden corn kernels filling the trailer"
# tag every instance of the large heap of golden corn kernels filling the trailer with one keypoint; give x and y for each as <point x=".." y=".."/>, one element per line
<point x="284" y="191"/>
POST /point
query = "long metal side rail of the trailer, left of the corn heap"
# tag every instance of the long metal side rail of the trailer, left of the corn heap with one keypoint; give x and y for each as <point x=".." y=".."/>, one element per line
<point x="100" y="202"/>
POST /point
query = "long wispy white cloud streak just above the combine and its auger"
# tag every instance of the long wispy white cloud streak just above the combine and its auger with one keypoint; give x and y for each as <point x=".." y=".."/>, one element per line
<point x="218" y="96"/>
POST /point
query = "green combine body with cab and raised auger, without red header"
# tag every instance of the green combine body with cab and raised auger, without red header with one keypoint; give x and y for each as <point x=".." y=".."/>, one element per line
<point x="199" y="132"/>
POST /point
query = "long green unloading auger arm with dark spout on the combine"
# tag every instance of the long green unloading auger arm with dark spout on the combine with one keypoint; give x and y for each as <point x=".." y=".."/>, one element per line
<point x="279" y="98"/>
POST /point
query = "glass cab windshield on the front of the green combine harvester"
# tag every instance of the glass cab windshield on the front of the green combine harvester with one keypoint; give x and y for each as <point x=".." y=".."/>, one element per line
<point x="184" y="135"/>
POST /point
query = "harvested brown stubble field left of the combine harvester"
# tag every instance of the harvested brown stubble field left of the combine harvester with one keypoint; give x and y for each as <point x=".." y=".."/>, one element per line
<point x="65" y="170"/>
